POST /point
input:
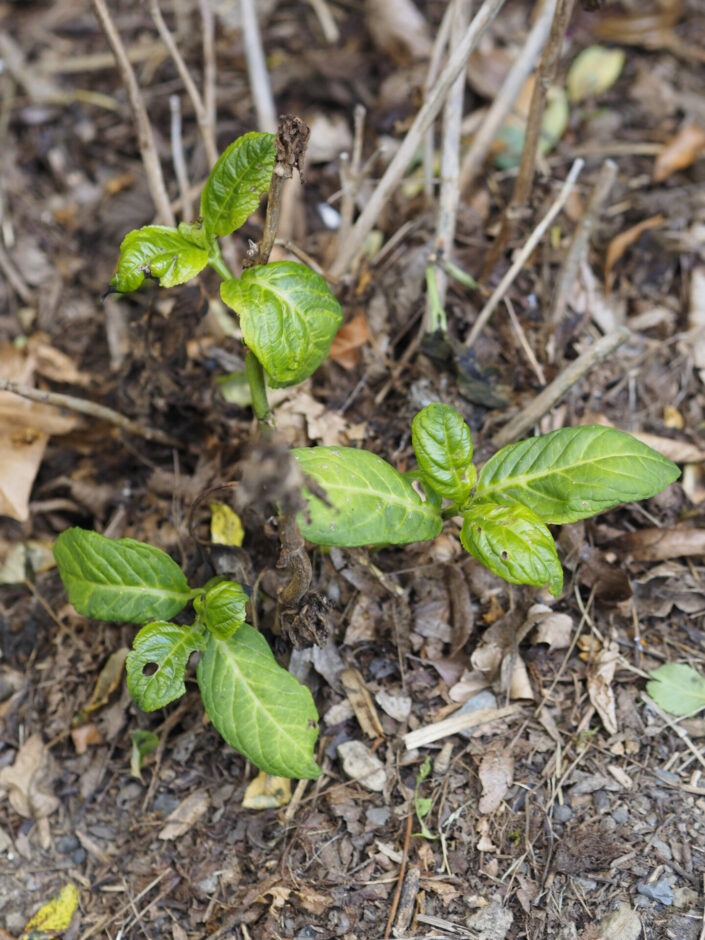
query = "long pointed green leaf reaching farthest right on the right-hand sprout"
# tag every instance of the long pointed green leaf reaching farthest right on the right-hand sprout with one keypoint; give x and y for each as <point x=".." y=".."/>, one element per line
<point x="574" y="473"/>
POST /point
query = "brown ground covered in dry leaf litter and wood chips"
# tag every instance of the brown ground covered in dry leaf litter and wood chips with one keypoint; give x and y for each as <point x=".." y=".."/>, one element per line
<point x="544" y="822"/>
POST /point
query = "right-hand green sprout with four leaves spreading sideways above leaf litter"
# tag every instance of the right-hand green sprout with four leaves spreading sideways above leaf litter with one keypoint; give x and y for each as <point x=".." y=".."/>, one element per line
<point x="559" y="477"/>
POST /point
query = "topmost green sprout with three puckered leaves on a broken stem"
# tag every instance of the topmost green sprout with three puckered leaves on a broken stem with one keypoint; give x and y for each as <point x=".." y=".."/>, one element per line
<point x="288" y="316"/>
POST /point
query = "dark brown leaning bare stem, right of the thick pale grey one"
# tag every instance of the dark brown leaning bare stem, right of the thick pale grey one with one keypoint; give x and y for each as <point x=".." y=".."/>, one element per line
<point x="544" y="79"/>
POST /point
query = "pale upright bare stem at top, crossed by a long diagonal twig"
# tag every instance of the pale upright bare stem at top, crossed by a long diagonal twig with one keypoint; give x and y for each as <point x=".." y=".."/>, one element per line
<point x="450" y="164"/>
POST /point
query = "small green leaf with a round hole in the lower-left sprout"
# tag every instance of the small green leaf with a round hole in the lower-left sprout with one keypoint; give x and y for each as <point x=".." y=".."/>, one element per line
<point x="157" y="663"/>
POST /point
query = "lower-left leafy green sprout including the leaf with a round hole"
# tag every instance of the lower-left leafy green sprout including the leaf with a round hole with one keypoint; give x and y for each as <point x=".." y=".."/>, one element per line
<point x="255" y="704"/>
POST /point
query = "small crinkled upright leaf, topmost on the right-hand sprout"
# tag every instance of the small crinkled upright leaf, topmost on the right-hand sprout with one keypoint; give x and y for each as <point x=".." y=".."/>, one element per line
<point x="443" y="449"/>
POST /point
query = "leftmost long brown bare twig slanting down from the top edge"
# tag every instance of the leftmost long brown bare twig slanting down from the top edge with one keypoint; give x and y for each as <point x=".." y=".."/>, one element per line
<point x="145" y="137"/>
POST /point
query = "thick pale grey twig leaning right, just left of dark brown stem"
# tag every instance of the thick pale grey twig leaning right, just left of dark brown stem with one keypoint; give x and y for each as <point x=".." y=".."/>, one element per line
<point x="502" y="104"/>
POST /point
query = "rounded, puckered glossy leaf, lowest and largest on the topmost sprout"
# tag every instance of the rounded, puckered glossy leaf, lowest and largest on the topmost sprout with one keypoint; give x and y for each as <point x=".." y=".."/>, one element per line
<point x="288" y="318"/>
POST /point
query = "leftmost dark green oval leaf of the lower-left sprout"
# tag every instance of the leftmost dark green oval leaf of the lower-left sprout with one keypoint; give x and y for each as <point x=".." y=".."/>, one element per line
<point x="119" y="579"/>
